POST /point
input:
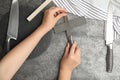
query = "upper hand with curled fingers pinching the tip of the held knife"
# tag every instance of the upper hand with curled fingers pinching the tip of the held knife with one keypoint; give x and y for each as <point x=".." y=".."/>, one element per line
<point x="52" y="15"/>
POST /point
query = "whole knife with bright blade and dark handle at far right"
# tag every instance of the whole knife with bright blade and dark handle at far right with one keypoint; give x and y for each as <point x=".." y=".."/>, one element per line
<point x="109" y="37"/>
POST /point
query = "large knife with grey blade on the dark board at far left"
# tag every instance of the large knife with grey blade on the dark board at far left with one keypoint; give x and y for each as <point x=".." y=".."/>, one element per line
<point x="13" y="24"/>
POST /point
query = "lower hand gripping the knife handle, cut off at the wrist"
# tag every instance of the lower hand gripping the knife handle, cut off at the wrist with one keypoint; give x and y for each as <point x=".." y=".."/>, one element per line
<point x="71" y="58"/>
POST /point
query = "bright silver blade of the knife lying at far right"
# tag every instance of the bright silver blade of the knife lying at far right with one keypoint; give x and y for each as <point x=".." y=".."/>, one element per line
<point x="109" y="34"/>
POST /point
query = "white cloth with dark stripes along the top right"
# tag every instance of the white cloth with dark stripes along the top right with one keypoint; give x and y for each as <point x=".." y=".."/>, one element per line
<point x="94" y="9"/>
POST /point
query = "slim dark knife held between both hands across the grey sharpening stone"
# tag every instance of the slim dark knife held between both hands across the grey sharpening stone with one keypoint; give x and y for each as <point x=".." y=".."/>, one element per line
<point x="68" y="33"/>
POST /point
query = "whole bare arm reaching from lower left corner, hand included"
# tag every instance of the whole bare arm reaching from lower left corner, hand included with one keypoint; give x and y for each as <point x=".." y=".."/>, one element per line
<point x="15" y="58"/>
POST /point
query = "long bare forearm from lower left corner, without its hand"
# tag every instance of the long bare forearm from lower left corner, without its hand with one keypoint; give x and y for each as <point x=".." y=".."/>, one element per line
<point x="16" y="57"/>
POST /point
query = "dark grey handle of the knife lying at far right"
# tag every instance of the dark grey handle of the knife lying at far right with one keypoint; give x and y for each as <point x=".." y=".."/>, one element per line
<point x="109" y="58"/>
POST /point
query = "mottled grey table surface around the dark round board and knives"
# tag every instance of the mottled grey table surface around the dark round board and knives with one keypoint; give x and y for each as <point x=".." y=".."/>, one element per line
<point x="90" y="38"/>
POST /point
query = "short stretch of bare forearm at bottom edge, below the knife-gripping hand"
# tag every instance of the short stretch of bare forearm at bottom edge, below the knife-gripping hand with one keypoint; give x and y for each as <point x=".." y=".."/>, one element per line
<point x="64" y="75"/>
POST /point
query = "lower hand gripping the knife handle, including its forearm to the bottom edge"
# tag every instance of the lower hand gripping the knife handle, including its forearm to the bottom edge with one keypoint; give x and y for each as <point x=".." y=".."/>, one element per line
<point x="70" y="60"/>
